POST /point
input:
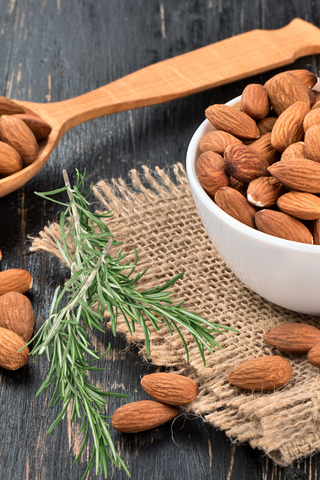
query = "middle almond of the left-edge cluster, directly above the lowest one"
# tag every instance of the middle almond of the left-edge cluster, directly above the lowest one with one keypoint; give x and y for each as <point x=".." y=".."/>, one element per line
<point x="16" y="314"/>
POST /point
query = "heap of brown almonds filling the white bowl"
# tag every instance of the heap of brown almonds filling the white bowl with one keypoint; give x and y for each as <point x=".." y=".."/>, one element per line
<point x="262" y="163"/>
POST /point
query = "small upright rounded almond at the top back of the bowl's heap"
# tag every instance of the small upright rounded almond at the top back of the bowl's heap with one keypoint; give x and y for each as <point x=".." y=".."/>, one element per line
<point x="255" y="101"/>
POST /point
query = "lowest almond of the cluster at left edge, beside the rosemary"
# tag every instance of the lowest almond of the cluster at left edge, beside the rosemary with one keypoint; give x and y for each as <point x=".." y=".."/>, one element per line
<point x="10" y="357"/>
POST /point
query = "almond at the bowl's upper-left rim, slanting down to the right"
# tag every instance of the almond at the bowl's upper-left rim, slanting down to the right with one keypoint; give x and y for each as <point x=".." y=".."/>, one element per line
<point x="231" y="120"/>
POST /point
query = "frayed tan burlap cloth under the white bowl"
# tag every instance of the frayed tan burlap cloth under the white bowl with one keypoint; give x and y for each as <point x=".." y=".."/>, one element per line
<point x="161" y="221"/>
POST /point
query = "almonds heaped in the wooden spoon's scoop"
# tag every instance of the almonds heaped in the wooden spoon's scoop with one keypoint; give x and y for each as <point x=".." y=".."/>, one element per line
<point x="20" y="134"/>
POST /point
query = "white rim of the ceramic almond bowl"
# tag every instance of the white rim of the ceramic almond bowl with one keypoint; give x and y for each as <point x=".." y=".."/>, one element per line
<point x="225" y="217"/>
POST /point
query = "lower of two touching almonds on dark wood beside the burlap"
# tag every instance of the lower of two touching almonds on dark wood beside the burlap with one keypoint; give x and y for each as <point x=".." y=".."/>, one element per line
<point x="143" y="415"/>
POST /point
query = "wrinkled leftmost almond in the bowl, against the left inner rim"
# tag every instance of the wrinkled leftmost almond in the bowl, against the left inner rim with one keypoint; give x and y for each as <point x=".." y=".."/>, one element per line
<point x="210" y="170"/>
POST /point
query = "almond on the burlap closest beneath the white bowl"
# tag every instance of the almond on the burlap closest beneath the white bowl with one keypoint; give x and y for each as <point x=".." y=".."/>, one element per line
<point x="293" y="337"/>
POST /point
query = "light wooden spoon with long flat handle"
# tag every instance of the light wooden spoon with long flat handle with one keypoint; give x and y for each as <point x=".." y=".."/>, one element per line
<point x="222" y="62"/>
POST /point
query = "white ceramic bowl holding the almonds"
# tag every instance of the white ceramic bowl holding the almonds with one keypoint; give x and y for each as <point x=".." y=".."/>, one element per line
<point x="284" y="272"/>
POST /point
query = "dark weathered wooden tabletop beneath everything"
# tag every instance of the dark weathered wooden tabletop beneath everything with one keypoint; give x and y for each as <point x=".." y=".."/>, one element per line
<point x="54" y="50"/>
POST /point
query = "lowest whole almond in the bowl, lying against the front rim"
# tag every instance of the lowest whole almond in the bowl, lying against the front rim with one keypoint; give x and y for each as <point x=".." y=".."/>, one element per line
<point x="281" y="225"/>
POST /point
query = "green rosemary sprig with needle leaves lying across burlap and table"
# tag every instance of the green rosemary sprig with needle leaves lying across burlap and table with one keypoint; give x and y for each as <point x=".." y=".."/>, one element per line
<point x="100" y="281"/>
